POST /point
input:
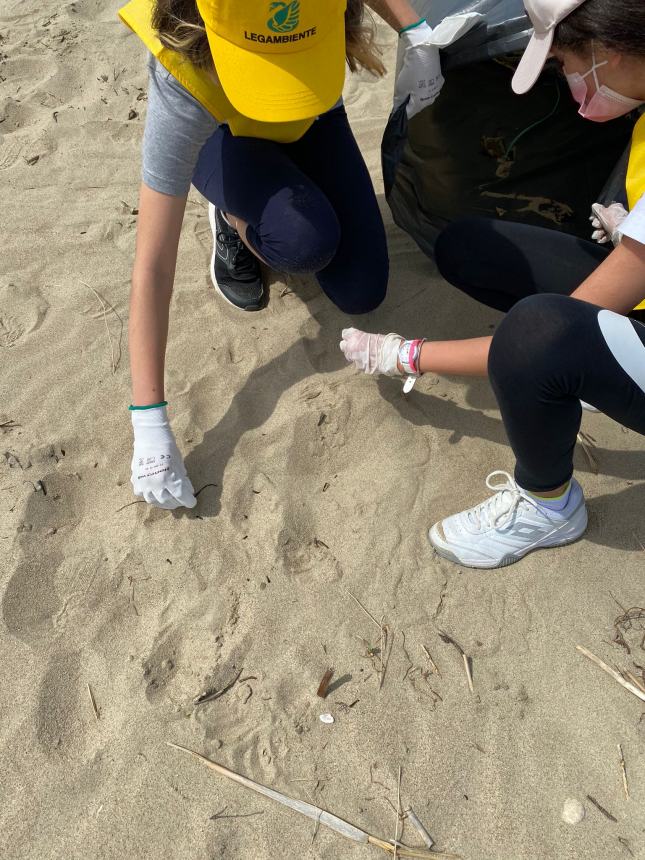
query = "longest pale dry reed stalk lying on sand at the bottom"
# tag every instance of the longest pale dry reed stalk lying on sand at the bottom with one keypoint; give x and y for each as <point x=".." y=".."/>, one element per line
<point x="339" y="825"/>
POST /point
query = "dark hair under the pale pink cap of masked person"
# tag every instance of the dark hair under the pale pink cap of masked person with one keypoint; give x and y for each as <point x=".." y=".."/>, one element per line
<point x="616" y="24"/>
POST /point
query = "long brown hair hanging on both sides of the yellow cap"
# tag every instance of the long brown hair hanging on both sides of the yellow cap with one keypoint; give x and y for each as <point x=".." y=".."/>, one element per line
<point x="180" y="27"/>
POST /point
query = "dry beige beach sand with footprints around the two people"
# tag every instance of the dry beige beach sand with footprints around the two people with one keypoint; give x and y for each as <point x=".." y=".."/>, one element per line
<point x="317" y="481"/>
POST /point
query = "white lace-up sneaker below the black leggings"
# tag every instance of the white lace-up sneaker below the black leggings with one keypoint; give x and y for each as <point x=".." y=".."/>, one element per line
<point x="506" y="527"/>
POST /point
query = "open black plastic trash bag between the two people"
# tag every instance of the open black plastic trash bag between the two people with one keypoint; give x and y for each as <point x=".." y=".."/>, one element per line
<point x="482" y="150"/>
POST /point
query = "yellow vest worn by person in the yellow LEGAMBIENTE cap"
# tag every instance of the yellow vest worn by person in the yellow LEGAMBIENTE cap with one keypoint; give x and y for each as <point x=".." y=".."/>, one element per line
<point x="201" y="84"/>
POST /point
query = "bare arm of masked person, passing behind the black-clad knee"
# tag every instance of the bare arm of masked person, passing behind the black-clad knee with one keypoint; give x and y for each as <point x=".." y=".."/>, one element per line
<point x="618" y="284"/>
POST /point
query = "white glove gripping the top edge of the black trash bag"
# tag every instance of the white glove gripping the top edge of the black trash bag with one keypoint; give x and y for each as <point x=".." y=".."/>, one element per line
<point x="418" y="71"/>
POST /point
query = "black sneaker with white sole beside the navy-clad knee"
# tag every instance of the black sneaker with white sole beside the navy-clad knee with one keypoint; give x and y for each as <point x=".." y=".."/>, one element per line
<point x="235" y="271"/>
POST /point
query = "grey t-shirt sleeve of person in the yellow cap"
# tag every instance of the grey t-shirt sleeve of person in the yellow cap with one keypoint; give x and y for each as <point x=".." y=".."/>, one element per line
<point x="177" y="127"/>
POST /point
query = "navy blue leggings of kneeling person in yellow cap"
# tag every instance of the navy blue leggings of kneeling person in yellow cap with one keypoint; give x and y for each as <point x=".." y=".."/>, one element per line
<point x="310" y="206"/>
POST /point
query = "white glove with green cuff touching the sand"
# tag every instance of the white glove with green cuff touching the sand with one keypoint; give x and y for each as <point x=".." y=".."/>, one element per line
<point x="158" y="471"/>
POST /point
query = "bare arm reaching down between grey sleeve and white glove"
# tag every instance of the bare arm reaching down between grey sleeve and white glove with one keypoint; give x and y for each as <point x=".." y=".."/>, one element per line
<point x="158" y="229"/>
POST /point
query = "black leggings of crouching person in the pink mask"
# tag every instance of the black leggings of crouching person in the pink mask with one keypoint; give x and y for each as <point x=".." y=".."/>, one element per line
<point x="550" y="351"/>
